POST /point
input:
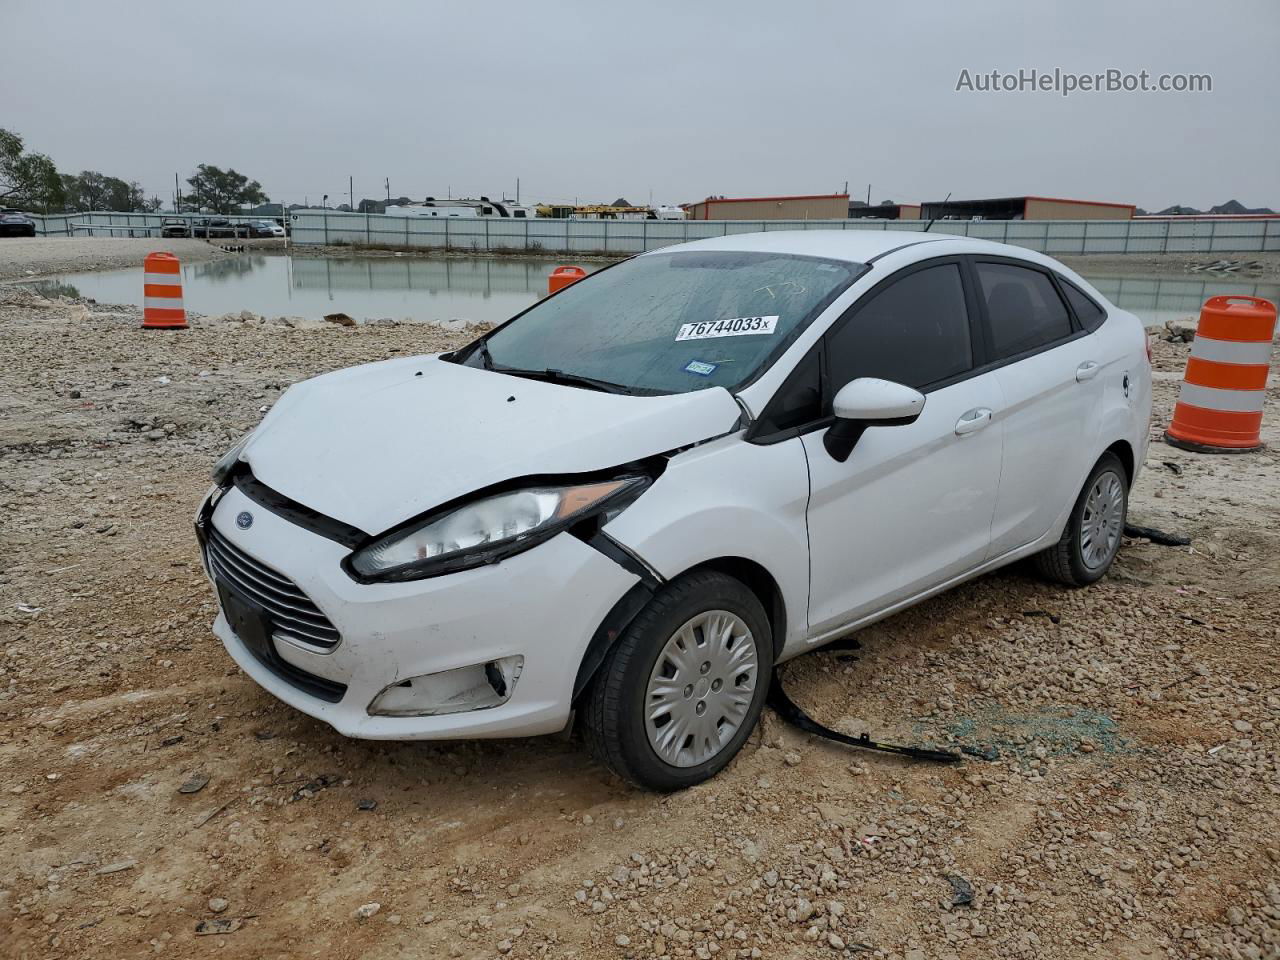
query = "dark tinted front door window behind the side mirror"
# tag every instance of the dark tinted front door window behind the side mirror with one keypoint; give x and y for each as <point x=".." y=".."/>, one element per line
<point x="915" y="332"/>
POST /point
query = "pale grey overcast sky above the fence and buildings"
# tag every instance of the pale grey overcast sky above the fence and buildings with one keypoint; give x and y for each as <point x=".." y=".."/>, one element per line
<point x="598" y="100"/>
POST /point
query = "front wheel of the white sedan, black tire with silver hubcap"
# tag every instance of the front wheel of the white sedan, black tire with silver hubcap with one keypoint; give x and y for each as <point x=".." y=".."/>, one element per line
<point x="616" y="726"/>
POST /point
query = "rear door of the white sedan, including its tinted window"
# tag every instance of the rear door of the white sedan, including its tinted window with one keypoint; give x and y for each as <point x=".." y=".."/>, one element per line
<point x="1046" y="365"/>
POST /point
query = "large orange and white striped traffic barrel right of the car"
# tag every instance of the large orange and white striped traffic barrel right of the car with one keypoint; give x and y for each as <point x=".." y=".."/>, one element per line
<point x="1220" y="405"/>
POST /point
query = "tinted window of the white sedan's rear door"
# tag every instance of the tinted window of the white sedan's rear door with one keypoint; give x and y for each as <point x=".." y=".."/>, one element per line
<point x="1023" y="309"/>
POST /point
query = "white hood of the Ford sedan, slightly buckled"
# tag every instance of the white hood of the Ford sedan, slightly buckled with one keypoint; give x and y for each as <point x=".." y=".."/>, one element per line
<point x="377" y="445"/>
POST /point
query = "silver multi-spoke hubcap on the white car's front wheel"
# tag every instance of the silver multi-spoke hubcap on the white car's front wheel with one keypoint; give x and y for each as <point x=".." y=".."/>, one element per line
<point x="701" y="689"/>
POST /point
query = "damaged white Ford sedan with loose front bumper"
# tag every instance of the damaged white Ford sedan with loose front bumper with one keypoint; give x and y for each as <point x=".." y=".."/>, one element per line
<point x="639" y="496"/>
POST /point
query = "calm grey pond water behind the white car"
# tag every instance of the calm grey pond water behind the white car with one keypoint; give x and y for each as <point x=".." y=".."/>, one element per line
<point x="488" y="290"/>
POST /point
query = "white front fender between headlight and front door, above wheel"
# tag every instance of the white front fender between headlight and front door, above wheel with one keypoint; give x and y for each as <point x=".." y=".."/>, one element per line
<point x="729" y="500"/>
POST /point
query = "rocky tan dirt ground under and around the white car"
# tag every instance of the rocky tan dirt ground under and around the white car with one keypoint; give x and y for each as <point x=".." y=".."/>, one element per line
<point x="156" y="802"/>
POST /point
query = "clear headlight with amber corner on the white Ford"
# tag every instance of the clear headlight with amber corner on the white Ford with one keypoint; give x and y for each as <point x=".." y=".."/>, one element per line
<point x="490" y="531"/>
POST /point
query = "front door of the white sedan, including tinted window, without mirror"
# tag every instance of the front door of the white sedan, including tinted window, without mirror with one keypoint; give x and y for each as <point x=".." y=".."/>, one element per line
<point x="912" y="506"/>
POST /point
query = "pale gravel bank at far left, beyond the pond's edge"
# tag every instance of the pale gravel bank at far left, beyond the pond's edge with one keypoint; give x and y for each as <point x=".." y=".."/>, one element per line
<point x="21" y="258"/>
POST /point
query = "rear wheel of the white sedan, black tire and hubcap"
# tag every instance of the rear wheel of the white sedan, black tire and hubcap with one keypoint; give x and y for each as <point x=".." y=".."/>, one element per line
<point x="1075" y="560"/>
